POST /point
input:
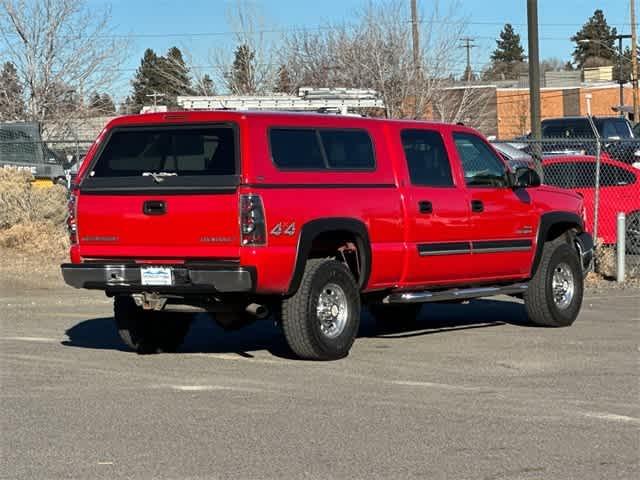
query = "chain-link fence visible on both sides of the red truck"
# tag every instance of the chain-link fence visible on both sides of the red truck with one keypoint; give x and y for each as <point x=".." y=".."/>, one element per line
<point x="605" y="172"/>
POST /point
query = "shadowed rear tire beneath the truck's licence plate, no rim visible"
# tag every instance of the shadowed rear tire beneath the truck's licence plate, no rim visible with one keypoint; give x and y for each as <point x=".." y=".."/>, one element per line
<point x="149" y="331"/>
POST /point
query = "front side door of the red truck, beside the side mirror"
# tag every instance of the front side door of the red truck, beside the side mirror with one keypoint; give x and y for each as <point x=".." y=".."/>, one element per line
<point x="504" y="221"/>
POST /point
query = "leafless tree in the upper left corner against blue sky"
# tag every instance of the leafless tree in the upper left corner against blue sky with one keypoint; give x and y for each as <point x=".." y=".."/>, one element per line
<point x="62" y="50"/>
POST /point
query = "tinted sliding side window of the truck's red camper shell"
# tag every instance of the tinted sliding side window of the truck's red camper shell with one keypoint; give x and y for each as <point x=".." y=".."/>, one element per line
<point x="321" y="149"/>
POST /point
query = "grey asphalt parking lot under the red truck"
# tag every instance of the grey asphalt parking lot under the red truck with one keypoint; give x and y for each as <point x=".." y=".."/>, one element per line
<point x="470" y="392"/>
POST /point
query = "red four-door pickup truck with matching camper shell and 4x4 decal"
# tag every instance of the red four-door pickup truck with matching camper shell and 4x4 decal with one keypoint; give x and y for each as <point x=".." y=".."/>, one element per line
<point x="308" y="217"/>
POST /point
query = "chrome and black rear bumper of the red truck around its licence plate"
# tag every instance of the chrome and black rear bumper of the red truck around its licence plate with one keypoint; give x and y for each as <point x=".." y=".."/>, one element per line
<point x="126" y="277"/>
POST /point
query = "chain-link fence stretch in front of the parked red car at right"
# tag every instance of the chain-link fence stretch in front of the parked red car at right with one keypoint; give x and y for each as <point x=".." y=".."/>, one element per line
<point x="606" y="172"/>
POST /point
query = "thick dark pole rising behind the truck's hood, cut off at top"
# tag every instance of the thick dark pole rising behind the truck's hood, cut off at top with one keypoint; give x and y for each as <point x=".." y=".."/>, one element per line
<point x="534" y="74"/>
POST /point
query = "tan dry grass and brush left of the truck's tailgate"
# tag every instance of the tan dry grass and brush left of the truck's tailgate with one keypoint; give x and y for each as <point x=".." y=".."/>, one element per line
<point x="32" y="219"/>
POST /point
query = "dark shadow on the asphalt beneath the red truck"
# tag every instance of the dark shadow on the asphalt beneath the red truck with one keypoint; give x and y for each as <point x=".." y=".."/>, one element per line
<point x="207" y="337"/>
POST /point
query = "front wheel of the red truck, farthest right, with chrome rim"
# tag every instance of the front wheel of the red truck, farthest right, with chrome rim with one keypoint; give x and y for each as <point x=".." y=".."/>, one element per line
<point x="559" y="264"/>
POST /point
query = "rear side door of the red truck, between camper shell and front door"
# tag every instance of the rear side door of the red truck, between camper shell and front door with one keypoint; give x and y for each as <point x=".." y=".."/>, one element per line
<point x="437" y="212"/>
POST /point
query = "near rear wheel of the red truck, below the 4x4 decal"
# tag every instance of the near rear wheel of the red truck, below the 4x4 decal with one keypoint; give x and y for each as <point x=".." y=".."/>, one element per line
<point x="325" y="284"/>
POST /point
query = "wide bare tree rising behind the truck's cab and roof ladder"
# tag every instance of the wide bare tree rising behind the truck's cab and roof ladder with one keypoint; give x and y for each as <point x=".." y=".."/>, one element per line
<point x="376" y="51"/>
